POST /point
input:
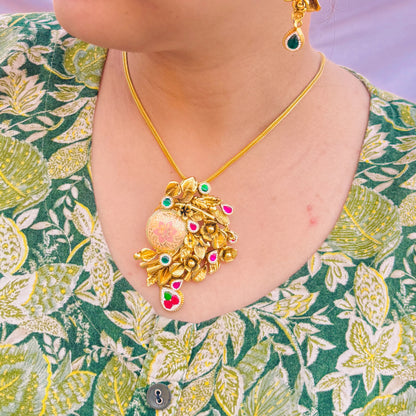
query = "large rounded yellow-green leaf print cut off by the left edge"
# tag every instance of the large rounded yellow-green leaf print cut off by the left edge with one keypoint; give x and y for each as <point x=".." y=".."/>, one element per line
<point x="24" y="180"/>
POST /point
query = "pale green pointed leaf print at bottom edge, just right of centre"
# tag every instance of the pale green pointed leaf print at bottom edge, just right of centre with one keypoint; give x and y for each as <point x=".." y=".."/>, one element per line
<point x="271" y="397"/>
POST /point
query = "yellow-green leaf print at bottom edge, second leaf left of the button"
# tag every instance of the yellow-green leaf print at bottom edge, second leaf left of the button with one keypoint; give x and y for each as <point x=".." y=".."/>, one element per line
<point x="69" y="390"/>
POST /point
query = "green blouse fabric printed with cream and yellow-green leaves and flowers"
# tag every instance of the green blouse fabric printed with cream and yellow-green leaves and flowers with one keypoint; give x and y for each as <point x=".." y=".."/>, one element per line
<point x="75" y="339"/>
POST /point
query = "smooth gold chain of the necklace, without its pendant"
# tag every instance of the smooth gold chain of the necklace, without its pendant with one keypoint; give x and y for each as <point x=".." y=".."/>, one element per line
<point x="267" y="130"/>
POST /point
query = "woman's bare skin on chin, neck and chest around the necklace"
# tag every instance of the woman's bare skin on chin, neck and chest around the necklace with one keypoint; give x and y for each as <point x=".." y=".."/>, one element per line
<point x="210" y="84"/>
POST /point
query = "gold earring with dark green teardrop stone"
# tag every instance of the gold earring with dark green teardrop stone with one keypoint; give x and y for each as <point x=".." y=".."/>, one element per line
<point x="294" y="39"/>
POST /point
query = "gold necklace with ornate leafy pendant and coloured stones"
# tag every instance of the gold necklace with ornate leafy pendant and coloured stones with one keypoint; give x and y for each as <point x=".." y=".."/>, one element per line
<point x="189" y="230"/>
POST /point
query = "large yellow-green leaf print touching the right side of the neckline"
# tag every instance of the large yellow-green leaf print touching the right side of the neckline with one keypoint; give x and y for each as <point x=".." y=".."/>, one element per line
<point x="368" y="226"/>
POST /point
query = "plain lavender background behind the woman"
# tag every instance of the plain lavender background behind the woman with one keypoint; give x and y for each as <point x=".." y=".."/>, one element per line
<point x="376" y="38"/>
